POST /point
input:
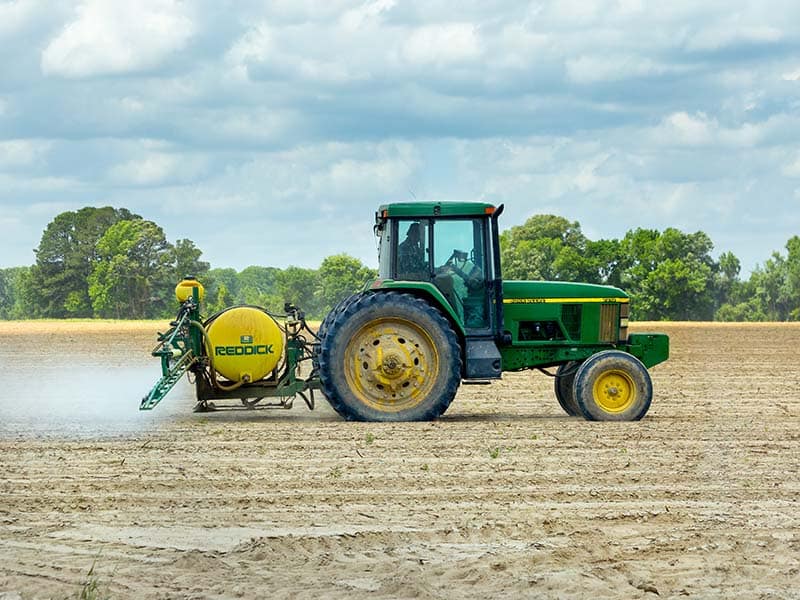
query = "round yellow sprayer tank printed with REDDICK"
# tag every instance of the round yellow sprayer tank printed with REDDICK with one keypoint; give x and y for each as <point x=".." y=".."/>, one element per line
<point x="245" y="343"/>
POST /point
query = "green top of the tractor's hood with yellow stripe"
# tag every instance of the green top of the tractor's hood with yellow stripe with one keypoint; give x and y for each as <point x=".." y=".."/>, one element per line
<point x="541" y="292"/>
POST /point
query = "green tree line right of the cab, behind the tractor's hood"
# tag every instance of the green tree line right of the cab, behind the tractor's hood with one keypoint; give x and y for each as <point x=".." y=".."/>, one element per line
<point x="670" y="274"/>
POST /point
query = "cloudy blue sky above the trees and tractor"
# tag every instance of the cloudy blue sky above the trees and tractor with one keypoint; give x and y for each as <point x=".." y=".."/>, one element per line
<point x="269" y="132"/>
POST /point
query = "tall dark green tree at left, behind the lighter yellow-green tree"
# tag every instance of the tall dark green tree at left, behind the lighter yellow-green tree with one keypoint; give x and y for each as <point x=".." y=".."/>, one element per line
<point x="66" y="256"/>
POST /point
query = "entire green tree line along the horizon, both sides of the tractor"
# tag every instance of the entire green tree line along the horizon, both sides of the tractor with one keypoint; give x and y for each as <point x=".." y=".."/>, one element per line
<point x="111" y="263"/>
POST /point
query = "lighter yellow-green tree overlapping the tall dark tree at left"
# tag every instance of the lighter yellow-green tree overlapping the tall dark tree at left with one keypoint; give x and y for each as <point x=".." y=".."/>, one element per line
<point x="134" y="276"/>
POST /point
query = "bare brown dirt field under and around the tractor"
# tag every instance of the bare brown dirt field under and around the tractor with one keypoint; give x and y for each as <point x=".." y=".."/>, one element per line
<point x="504" y="497"/>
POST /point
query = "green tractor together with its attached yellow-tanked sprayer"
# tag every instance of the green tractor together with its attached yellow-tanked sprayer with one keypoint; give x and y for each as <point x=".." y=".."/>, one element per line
<point x="438" y="314"/>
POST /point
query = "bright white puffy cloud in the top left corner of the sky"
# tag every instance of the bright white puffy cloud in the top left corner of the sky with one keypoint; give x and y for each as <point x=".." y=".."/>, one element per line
<point x="113" y="38"/>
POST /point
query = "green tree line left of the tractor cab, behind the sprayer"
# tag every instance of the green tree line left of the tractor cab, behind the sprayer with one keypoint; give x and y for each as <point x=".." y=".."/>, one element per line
<point x="112" y="263"/>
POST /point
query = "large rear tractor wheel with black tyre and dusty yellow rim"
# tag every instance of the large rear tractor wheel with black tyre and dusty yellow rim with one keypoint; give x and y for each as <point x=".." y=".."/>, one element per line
<point x="390" y="357"/>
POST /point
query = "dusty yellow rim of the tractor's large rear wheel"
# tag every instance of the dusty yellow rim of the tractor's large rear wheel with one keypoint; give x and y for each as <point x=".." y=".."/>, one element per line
<point x="391" y="364"/>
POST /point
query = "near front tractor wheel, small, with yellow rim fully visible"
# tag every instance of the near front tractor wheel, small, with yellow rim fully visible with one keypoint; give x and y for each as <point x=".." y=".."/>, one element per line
<point x="613" y="386"/>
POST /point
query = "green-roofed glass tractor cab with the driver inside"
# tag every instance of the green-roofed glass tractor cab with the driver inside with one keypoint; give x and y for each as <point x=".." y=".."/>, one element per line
<point x="451" y="246"/>
